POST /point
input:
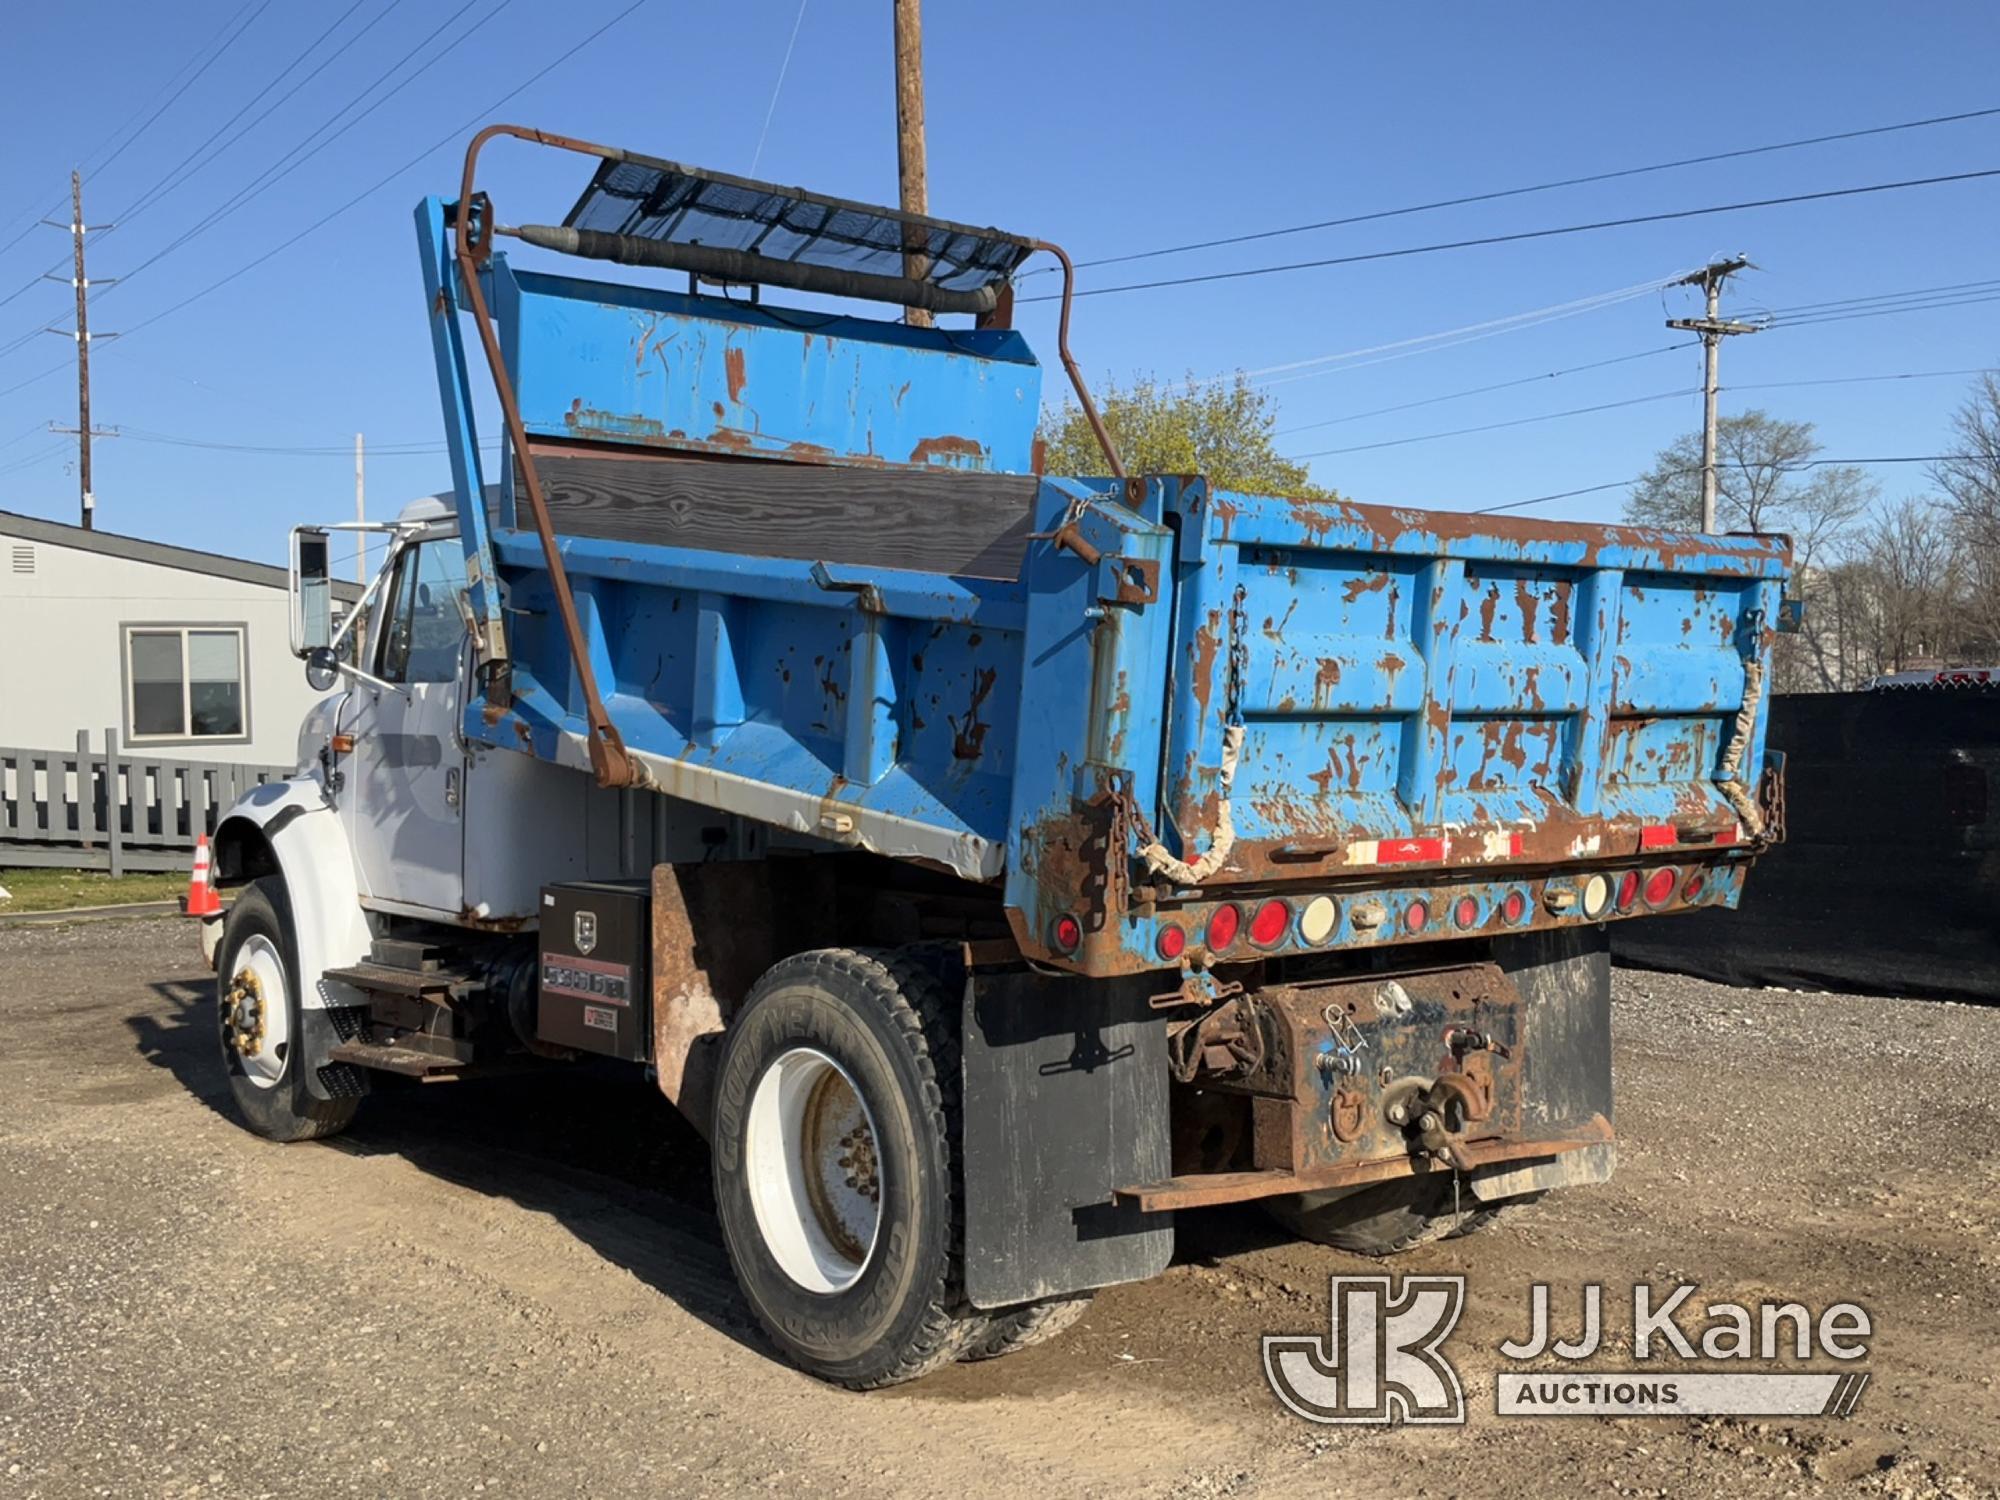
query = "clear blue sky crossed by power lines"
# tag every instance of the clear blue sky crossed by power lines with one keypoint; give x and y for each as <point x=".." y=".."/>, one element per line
<point x="1111" y="129"/>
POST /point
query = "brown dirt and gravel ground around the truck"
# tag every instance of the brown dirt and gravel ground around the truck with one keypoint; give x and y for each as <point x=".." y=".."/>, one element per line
<point x="519" y="1289"/>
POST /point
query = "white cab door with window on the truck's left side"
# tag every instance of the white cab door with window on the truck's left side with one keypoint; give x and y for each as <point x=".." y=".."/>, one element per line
<point x="407" y="771"/>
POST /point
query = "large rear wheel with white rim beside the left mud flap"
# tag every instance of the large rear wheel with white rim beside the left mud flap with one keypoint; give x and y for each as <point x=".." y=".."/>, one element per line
<point x="837" y="1167"/>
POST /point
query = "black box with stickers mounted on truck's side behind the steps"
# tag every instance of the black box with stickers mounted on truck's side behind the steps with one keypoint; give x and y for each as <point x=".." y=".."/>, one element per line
<point x="597" y="969"/>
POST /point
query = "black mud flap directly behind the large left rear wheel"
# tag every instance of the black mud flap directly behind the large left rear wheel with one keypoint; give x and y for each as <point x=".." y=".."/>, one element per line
<point x="1065" y="1101"/>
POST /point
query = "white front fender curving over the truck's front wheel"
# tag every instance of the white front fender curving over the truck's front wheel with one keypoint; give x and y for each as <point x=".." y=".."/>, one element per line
<point x="287" y="829"/>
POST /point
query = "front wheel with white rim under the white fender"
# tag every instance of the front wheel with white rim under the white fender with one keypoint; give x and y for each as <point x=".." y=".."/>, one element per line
<point x="259" y="1021"/>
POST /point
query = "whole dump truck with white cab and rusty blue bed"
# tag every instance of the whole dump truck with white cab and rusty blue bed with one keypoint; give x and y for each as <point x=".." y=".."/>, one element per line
<point x="989" y="865"/>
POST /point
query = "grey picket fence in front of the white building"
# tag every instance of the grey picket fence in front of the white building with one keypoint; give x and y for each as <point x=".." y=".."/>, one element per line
<point x="107" y="811"/>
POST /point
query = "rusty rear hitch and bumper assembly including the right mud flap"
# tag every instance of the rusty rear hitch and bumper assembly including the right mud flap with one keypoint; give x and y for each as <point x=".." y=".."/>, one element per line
<point x="1497" y="1071"/>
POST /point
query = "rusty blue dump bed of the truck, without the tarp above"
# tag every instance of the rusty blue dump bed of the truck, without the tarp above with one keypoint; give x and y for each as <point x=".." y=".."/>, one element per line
<point x="817" y="585"/>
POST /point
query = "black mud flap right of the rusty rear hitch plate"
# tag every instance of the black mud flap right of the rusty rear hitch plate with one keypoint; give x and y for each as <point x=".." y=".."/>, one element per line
<point x="1565" y="981"/>
